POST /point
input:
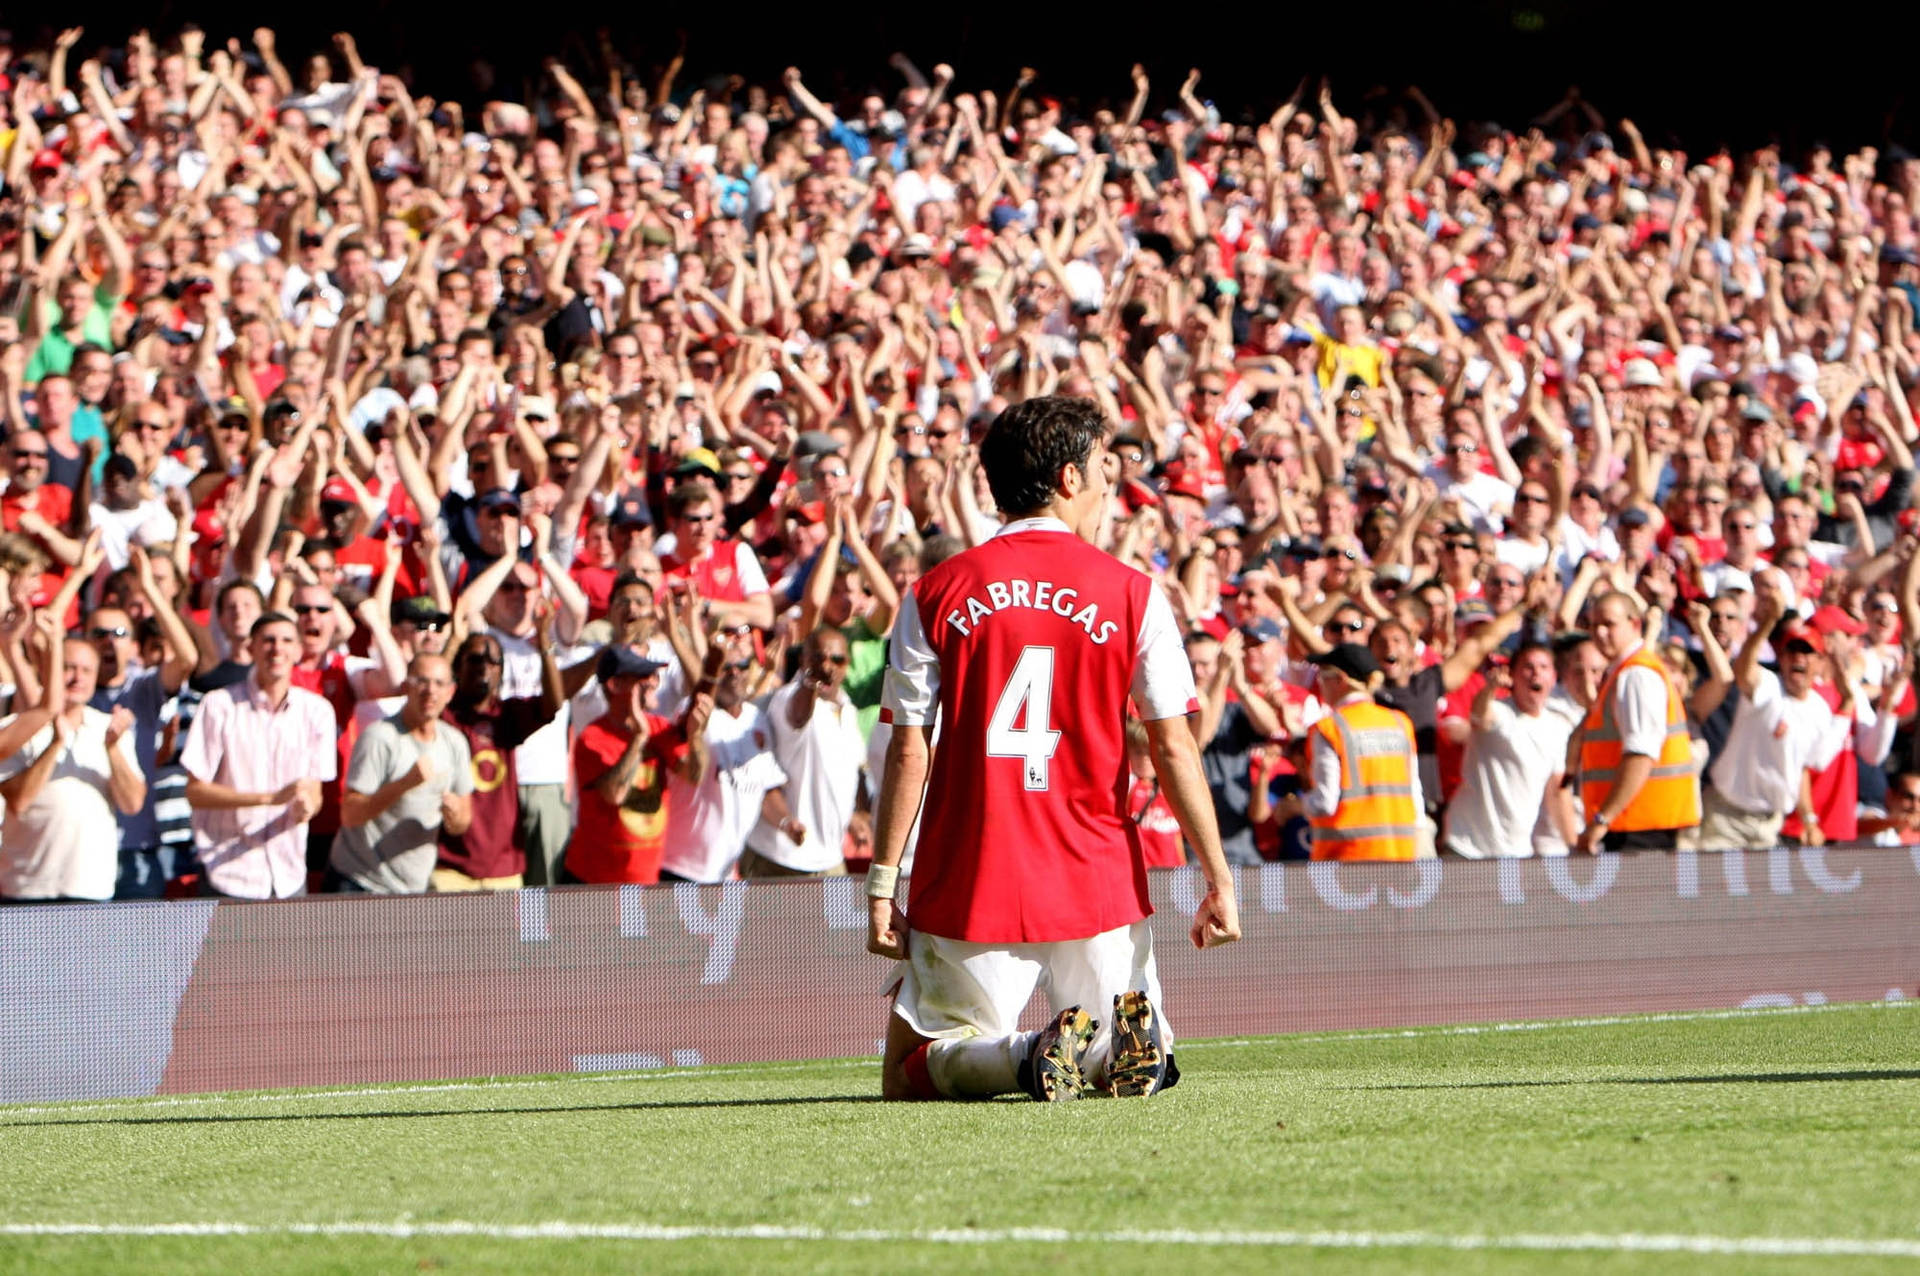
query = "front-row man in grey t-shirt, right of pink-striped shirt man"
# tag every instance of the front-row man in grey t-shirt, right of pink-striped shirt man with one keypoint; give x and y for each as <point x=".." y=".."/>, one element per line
<point x="410" y="776"/>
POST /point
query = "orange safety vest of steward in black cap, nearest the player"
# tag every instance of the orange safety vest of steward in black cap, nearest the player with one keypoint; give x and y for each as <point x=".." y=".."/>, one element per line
<point x="1376" y="818"/>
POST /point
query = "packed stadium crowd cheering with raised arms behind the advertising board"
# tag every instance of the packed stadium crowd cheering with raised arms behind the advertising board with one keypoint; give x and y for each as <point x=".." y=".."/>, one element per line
<point x="406" y="498"/>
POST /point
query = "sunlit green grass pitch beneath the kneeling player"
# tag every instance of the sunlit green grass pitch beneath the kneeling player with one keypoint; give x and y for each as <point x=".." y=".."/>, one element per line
<point x="1735" y="1143"/>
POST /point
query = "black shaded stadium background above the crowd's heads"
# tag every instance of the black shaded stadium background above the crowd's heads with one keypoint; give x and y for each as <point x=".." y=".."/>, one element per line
<point x="1706" y="74"/>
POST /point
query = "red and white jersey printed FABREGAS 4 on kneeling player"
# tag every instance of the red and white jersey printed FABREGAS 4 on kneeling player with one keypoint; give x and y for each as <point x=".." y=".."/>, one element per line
<point x="1028" y="648"/>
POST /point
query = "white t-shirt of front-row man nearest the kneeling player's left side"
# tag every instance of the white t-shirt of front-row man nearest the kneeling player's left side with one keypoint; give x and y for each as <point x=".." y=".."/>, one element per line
<point x="823" y="767"/>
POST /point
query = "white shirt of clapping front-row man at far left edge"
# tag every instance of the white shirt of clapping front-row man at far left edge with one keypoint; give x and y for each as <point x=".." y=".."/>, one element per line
<point x="66" y="841"/>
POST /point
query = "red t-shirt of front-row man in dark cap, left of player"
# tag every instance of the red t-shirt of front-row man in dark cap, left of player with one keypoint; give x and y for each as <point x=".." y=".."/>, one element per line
<point x="623" y="843"/>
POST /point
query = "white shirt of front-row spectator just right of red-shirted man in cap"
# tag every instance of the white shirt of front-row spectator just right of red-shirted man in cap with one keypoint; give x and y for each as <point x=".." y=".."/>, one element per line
<point x="708" y="826"/>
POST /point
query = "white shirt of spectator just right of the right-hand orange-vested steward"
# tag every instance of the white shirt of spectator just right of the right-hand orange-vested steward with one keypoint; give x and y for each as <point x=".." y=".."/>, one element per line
<point x="1771" y="744"/>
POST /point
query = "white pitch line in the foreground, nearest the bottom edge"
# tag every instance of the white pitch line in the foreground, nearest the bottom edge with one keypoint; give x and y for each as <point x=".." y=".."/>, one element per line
<point x="1625" y="1242"/>
